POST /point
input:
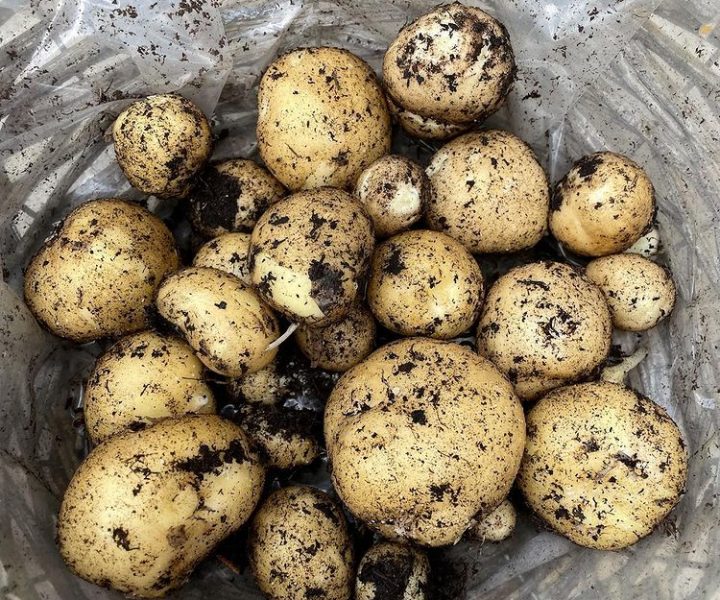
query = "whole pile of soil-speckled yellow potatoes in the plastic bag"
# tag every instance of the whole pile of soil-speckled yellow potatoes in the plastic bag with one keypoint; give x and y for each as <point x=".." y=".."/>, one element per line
<point x="376" y="264"/>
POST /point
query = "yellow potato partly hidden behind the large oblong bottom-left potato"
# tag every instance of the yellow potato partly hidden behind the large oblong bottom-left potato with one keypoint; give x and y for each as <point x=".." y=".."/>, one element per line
<point x="144" y="378"/>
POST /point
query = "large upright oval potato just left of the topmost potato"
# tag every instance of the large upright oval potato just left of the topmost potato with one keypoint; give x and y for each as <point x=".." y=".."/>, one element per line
<point x="322" y="118"/>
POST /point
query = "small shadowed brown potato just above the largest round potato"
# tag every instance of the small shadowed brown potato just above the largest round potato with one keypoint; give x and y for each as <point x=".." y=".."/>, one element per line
<point x="339" y="345"/>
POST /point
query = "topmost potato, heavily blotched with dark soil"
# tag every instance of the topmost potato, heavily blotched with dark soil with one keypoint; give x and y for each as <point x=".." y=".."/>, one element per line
<point x="454" y="64"/>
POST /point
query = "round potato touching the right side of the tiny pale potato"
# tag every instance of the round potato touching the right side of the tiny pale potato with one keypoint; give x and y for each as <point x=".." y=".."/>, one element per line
<point x="491" y="193"/>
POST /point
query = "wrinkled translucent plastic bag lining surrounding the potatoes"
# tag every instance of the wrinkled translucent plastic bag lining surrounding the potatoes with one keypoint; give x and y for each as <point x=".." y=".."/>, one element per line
<point x="640" y="77"/>
